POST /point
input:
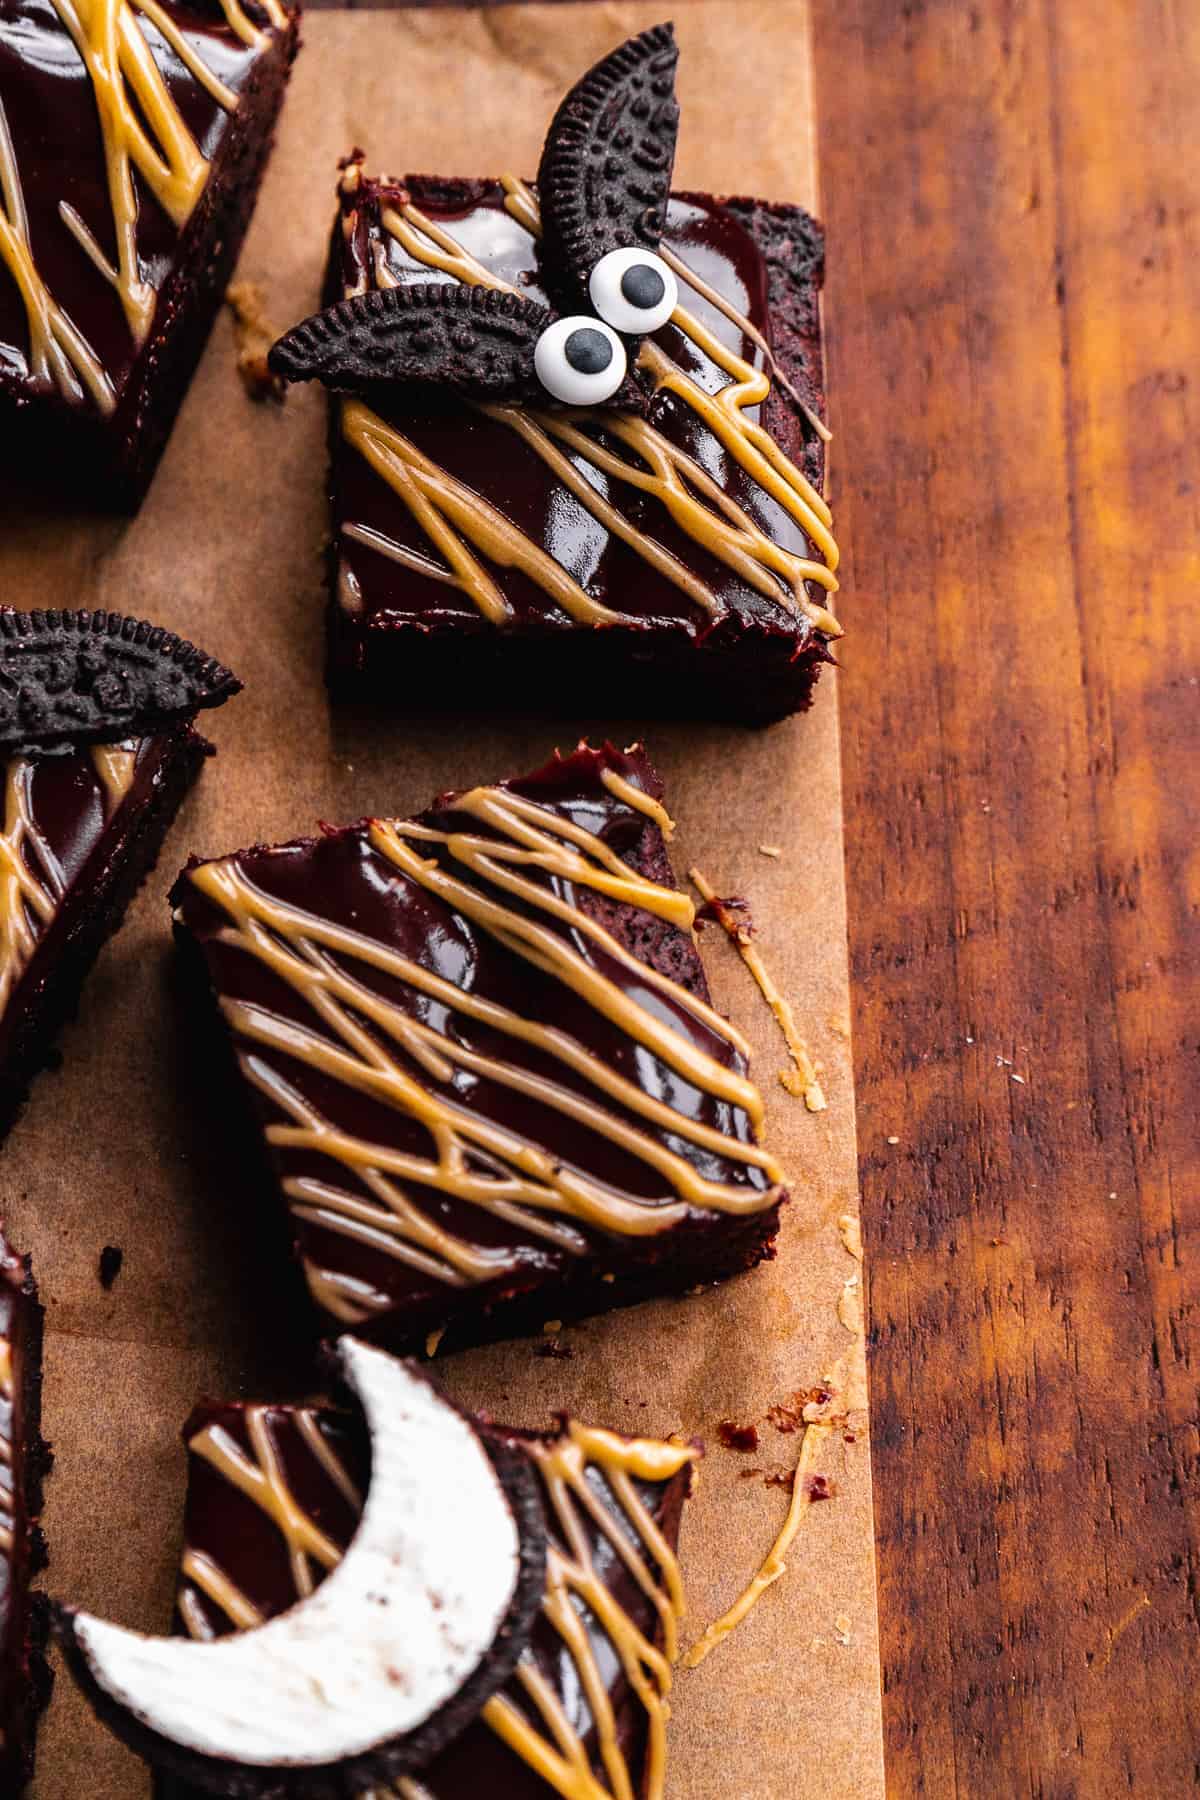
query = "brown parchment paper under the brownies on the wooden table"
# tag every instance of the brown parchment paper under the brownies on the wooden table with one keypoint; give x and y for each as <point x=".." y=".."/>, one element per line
<point x="123" y="1144"/>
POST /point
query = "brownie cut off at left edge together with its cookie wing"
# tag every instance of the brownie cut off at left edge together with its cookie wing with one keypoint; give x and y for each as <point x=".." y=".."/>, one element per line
<point x="96" y="755"/>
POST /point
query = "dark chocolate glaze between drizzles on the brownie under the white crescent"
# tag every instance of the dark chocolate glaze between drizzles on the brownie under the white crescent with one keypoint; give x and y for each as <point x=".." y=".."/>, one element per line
<point x="249" y="1549"/>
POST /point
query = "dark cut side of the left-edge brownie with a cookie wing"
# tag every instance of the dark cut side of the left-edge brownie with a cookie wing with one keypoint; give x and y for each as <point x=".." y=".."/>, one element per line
<point x="48" y="993"/>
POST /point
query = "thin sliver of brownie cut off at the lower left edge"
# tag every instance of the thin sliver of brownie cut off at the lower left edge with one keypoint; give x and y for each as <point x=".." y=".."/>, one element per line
<point x="22" y="1673"/>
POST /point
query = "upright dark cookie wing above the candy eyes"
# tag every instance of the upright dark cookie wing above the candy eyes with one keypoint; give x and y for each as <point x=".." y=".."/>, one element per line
<point x="605" y="174"/>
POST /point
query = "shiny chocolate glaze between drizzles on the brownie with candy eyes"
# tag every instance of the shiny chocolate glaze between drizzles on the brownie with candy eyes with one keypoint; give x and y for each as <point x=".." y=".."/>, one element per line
<point x="506" y="472"/>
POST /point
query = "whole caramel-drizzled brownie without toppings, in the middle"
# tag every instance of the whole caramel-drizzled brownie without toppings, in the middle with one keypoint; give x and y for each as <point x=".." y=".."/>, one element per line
<point x="481" y="1057"/>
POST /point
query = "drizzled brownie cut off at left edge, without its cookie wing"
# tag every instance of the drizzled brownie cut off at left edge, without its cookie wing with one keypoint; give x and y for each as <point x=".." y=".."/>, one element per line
<point x="80" y="836"/>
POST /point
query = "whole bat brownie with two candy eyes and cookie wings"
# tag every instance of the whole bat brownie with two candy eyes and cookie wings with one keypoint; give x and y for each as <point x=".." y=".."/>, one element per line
<point x="499" y="539"/>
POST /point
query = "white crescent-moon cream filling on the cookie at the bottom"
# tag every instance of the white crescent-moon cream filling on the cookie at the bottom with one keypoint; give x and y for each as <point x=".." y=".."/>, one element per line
<point x="388" y="1639"/>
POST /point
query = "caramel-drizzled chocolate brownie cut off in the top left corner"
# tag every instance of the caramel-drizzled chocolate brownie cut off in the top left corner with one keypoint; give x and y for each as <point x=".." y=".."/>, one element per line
<point x="118" y="242"/>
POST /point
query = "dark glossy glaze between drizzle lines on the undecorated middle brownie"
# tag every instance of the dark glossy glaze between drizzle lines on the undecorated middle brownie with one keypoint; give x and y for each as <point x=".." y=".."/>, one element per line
<point x="343" y="877"/>
